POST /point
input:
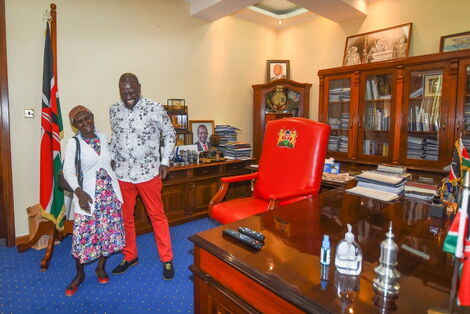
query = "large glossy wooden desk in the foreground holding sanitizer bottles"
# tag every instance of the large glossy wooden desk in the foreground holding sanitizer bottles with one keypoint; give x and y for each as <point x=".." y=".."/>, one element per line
<point x="284" y="276"/>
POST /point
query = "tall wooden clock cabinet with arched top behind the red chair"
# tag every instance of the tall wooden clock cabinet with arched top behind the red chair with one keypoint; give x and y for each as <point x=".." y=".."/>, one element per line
<point x="275" y="100"/>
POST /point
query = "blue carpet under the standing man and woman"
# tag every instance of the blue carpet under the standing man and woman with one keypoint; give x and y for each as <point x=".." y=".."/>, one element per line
<point x="24" y="289"/>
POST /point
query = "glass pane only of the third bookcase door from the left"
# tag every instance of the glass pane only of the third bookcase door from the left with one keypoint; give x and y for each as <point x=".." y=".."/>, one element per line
<point x="424" y="114"/>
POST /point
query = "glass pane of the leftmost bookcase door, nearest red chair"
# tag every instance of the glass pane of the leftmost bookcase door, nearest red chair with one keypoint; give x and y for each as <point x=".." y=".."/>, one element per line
<point x="339" y="97"/>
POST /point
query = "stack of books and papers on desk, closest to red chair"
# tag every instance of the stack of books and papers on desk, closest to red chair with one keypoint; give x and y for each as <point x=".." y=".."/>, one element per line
<point x="388" y="182"/>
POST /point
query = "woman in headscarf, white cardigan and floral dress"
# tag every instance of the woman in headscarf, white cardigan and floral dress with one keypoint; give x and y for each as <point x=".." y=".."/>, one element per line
<point x="97" y="229"/>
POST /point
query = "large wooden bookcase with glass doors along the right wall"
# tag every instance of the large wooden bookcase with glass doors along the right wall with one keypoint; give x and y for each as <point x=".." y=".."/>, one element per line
<point x="408" y="111"/>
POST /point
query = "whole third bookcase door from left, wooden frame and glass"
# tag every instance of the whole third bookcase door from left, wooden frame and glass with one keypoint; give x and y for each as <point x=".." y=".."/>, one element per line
<point x="428" y="116"/>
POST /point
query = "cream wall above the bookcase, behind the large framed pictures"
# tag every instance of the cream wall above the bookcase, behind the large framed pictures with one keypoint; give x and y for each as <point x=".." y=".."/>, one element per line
<point x="319" y="44"/>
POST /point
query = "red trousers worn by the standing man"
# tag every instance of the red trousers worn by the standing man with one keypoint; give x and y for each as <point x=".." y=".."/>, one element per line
<point x="150" y="192"/>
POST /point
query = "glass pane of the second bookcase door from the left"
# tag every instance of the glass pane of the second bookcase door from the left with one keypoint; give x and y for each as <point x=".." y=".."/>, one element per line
<point x="376" y="110"/>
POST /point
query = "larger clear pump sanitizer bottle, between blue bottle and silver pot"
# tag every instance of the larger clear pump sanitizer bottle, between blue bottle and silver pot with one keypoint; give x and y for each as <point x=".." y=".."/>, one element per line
<point x="348" y="259"/>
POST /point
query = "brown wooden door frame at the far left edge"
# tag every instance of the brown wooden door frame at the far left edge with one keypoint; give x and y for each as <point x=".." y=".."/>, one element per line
<point x="6" y="178"/>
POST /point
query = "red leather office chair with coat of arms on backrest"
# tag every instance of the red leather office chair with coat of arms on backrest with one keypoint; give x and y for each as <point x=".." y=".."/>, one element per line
<point x="290" y="169"/>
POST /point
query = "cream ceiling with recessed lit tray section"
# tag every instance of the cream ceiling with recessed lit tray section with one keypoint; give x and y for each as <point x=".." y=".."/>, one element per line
<point x="279" y="14"/>
